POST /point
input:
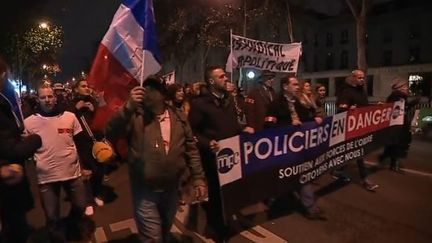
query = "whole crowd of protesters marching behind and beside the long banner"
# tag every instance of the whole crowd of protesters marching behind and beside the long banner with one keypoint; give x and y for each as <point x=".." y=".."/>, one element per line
<point x="173" y="135"/>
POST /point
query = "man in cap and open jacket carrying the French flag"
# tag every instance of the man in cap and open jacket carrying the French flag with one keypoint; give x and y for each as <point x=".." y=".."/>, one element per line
<point x="161" y="145"/>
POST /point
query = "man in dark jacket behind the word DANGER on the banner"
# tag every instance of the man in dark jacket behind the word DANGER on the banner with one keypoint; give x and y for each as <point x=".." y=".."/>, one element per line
<point x="351" y="96"/>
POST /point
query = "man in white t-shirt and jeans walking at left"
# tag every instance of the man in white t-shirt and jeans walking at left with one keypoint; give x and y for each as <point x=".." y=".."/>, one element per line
<point x="57" y="161"/>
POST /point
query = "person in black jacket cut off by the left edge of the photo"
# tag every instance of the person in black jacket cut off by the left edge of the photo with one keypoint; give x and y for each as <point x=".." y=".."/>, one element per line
<point x="15" y="195"/>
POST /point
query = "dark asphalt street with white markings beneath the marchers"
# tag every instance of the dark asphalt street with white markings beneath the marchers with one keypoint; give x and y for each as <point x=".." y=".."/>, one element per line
<point x="399" y="211"/>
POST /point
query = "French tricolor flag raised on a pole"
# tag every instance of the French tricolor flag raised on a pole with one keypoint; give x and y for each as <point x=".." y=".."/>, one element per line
<point x="129" y="47"/>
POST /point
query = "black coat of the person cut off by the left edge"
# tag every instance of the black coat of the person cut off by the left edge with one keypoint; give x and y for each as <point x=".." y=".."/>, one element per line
<point x="15" y="149"/>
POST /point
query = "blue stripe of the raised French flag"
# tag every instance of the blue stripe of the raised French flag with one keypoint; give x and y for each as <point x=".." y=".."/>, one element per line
<point x="143" y="13"/>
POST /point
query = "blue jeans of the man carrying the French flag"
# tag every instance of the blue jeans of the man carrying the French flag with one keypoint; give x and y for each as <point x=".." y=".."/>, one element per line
<point x="154" y="212"/>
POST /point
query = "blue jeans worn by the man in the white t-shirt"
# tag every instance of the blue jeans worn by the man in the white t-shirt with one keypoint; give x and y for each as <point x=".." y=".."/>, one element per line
<point x="50" y="198"/>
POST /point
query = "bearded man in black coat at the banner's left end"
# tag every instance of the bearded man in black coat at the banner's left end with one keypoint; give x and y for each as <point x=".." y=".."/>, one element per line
<point x="213" y="117"/>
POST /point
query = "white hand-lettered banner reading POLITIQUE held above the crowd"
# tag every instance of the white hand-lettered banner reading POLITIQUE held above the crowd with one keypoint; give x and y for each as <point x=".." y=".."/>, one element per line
<point x="263" y="55"/>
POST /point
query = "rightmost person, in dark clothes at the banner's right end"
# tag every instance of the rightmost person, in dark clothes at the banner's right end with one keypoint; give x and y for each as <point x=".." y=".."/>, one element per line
<point x="399" y="150"/>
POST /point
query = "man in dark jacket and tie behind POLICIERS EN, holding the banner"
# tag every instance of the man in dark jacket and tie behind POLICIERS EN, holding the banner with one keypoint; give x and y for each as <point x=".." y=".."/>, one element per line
<point x="287" y="110"/>
